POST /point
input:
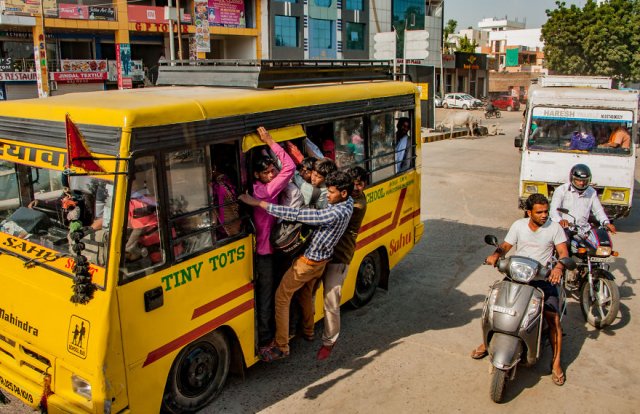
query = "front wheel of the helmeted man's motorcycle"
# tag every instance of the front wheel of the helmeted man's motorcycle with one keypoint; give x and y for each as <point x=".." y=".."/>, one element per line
<point x="600" y="316"/>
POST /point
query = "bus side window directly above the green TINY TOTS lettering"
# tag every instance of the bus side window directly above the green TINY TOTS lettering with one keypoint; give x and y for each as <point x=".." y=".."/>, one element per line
<point x="189" y="217"/>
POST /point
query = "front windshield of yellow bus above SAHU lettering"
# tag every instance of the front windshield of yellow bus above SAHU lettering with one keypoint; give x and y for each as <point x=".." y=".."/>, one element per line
<point x="31" y="208"/>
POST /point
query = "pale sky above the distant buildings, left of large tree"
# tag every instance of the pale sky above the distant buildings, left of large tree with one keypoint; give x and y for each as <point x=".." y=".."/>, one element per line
<point x="470" y="12"/>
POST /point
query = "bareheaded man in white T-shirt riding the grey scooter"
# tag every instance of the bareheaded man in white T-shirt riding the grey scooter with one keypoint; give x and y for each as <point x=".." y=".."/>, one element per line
<point x="536" y="237"/>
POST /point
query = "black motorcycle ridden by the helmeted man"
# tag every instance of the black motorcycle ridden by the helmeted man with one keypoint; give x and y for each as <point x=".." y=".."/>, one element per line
<point x="592" y="281"/>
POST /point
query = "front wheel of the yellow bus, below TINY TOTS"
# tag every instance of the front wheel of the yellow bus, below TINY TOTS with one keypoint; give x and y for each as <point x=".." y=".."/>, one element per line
<point x="197" y="375"/>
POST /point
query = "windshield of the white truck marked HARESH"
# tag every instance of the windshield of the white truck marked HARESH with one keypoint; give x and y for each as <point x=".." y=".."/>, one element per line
<point x="595" y="131"/>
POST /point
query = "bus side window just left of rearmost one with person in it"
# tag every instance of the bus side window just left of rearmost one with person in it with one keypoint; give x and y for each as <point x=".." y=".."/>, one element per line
<point x="382" y="148"/>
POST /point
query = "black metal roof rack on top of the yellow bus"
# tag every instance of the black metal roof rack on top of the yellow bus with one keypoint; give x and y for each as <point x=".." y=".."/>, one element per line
<point x="270" y="73"/>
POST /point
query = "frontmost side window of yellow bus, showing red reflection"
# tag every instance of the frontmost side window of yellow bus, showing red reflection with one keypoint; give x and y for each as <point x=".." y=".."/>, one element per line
<point x="143" y="248"/>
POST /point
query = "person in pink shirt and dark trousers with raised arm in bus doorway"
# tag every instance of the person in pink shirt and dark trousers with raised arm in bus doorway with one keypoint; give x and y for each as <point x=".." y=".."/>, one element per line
<point x="268" y="184"/>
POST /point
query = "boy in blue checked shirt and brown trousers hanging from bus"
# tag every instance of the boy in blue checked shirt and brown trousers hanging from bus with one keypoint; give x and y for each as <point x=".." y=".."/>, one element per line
<point x="331" y="223"/>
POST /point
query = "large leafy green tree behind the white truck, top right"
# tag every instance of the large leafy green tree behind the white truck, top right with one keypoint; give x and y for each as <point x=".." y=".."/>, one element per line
<point x="597" y="40"/>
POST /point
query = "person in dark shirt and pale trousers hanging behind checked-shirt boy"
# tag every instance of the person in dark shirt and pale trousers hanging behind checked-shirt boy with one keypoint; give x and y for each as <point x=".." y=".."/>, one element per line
<point x="338" y="267"/>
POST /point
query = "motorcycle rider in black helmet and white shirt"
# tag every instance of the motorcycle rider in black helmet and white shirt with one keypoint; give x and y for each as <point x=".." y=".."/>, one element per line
<point x="580" y="199"/>
